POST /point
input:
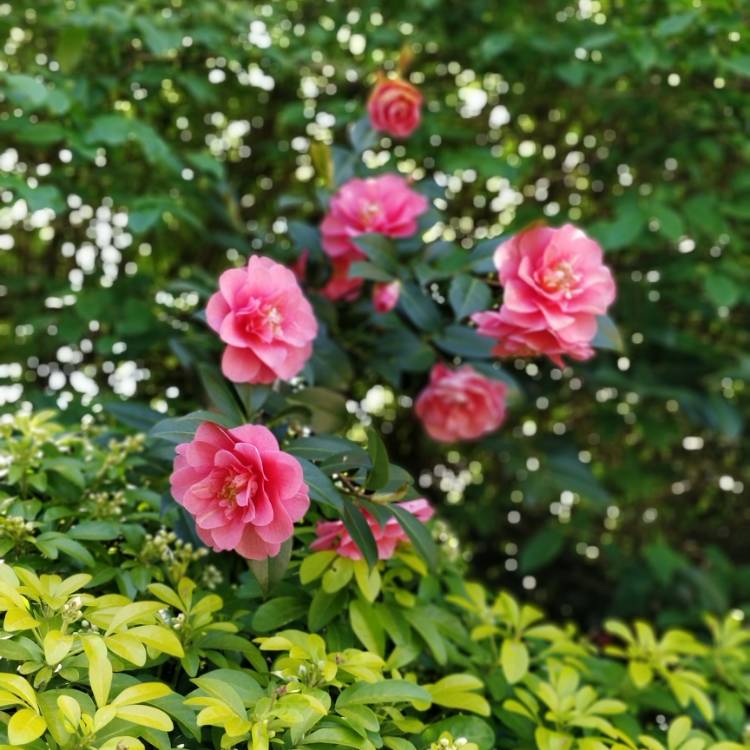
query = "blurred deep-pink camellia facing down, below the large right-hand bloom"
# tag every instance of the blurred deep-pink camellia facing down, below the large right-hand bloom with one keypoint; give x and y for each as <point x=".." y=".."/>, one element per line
<point x="460" y="404"/>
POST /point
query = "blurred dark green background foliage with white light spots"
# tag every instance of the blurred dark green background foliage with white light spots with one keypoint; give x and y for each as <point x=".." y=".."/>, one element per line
<point x="145" y="146"/>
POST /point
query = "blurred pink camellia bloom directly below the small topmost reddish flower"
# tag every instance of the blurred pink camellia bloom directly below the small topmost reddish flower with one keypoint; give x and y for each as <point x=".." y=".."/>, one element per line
<point x="384" y="205"/>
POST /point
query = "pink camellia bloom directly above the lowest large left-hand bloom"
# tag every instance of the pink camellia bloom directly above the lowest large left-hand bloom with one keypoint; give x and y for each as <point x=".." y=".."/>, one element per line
<point x="264" y="319"/>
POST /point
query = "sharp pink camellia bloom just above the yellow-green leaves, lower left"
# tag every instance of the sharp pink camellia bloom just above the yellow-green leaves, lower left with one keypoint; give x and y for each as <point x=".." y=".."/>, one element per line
<point x="244" y="493"/>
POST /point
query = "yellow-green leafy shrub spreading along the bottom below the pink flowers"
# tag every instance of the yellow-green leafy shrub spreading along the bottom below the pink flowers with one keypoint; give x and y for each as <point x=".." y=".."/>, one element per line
<point x="107" y="650"/>
